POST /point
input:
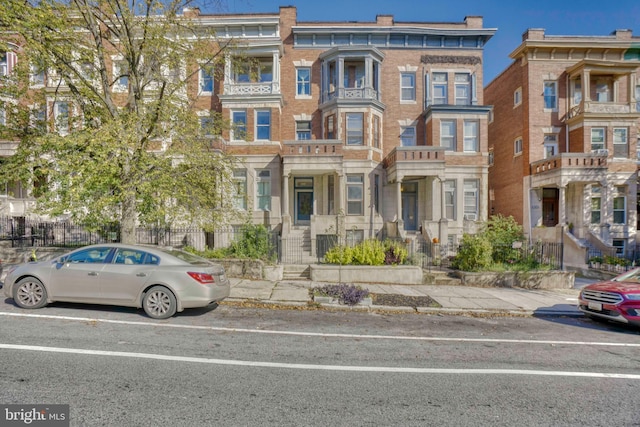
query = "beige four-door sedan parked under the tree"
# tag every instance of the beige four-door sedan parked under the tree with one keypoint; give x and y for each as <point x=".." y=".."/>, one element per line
<point x="162" y="281"/>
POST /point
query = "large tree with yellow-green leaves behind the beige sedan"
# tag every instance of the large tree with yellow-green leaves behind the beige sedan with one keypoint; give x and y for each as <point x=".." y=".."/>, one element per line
<point x="122" y="140"/>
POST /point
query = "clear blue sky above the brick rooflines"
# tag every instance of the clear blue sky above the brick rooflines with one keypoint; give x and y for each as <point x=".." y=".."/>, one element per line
<point x="511" y="18"/>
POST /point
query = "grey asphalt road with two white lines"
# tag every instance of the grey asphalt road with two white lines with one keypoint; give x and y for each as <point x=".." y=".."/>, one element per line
<point x="239" y="366"/>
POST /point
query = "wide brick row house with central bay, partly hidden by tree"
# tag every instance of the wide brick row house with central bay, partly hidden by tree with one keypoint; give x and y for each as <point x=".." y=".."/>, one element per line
<point x="353" y="128"/>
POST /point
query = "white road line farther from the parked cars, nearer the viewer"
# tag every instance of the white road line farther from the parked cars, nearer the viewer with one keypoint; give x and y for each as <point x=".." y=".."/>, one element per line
<point x="302" y="366"/>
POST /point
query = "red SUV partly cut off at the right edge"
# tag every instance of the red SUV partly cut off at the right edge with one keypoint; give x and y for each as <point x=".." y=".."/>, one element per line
<point x="617" y="299"/>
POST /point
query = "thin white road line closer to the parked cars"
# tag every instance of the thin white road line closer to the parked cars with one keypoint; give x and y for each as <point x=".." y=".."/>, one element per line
<point x="319" y="334"/>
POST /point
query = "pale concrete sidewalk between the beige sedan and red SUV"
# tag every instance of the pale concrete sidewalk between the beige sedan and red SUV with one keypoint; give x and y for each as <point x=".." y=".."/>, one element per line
<point x="452" y="299"/>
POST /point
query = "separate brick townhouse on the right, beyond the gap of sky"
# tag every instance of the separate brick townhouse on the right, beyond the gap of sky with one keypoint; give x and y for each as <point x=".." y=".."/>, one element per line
<point x="564" y="140"/>
